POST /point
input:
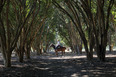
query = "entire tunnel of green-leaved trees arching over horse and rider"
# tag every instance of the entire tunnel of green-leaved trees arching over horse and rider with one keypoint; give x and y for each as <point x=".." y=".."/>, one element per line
<point x="34" y="24"/>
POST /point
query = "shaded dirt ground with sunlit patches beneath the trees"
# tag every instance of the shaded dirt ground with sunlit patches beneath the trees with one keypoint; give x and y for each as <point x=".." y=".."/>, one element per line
<point x="70" y="65"/>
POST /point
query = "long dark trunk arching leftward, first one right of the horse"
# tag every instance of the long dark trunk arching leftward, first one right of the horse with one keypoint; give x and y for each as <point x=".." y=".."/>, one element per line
<point x="76" y="21"/>
